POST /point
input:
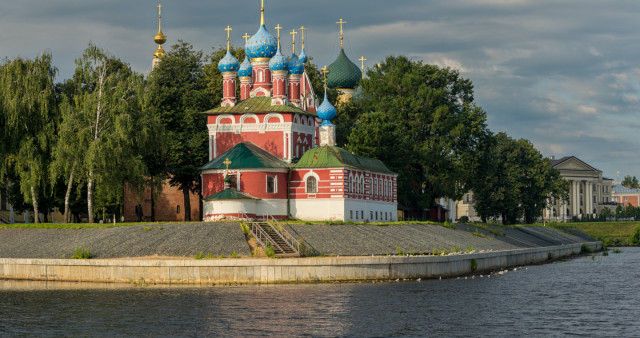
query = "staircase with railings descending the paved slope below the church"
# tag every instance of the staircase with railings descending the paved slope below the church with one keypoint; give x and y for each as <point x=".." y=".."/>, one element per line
<point x="268" y="235"/>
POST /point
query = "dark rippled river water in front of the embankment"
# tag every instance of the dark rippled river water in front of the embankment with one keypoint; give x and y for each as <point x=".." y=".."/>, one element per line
<point x="586" y="296"/>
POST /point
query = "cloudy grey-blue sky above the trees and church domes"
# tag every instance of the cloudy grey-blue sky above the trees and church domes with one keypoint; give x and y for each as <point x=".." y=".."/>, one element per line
<point x="563" y="74"/>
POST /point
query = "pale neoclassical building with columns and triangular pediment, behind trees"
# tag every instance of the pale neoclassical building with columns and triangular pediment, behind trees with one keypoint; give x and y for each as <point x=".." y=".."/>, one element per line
<point x="589" y="191"/>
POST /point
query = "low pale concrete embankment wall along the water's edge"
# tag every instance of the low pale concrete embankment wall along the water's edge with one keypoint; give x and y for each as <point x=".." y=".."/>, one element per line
<point x="220" y="271"/>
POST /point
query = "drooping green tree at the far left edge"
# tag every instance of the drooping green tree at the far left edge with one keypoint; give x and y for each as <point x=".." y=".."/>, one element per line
<point x="28" y="114"/>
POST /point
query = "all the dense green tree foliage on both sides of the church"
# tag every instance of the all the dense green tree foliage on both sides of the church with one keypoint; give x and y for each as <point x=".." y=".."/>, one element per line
<point x="75" y="144"/>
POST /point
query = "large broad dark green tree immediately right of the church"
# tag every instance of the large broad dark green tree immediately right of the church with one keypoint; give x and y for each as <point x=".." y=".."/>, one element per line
<point x="435" y="126"/>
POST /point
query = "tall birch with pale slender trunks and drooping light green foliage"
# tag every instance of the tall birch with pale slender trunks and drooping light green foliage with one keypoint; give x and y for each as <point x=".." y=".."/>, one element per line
<point x="103" y="129"/>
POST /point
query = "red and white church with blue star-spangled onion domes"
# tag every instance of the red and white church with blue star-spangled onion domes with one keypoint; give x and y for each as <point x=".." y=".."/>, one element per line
<point x="272" y="152"/>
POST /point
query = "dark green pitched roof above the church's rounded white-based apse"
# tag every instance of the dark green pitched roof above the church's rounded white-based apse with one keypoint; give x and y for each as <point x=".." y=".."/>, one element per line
<point x="246" y="155"/>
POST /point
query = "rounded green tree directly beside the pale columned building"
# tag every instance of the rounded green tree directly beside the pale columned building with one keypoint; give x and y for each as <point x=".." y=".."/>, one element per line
<point x="513" y="180"/>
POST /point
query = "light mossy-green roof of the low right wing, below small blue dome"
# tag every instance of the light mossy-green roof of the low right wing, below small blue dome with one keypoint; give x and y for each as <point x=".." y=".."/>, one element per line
<point x="333" y="157"/>
